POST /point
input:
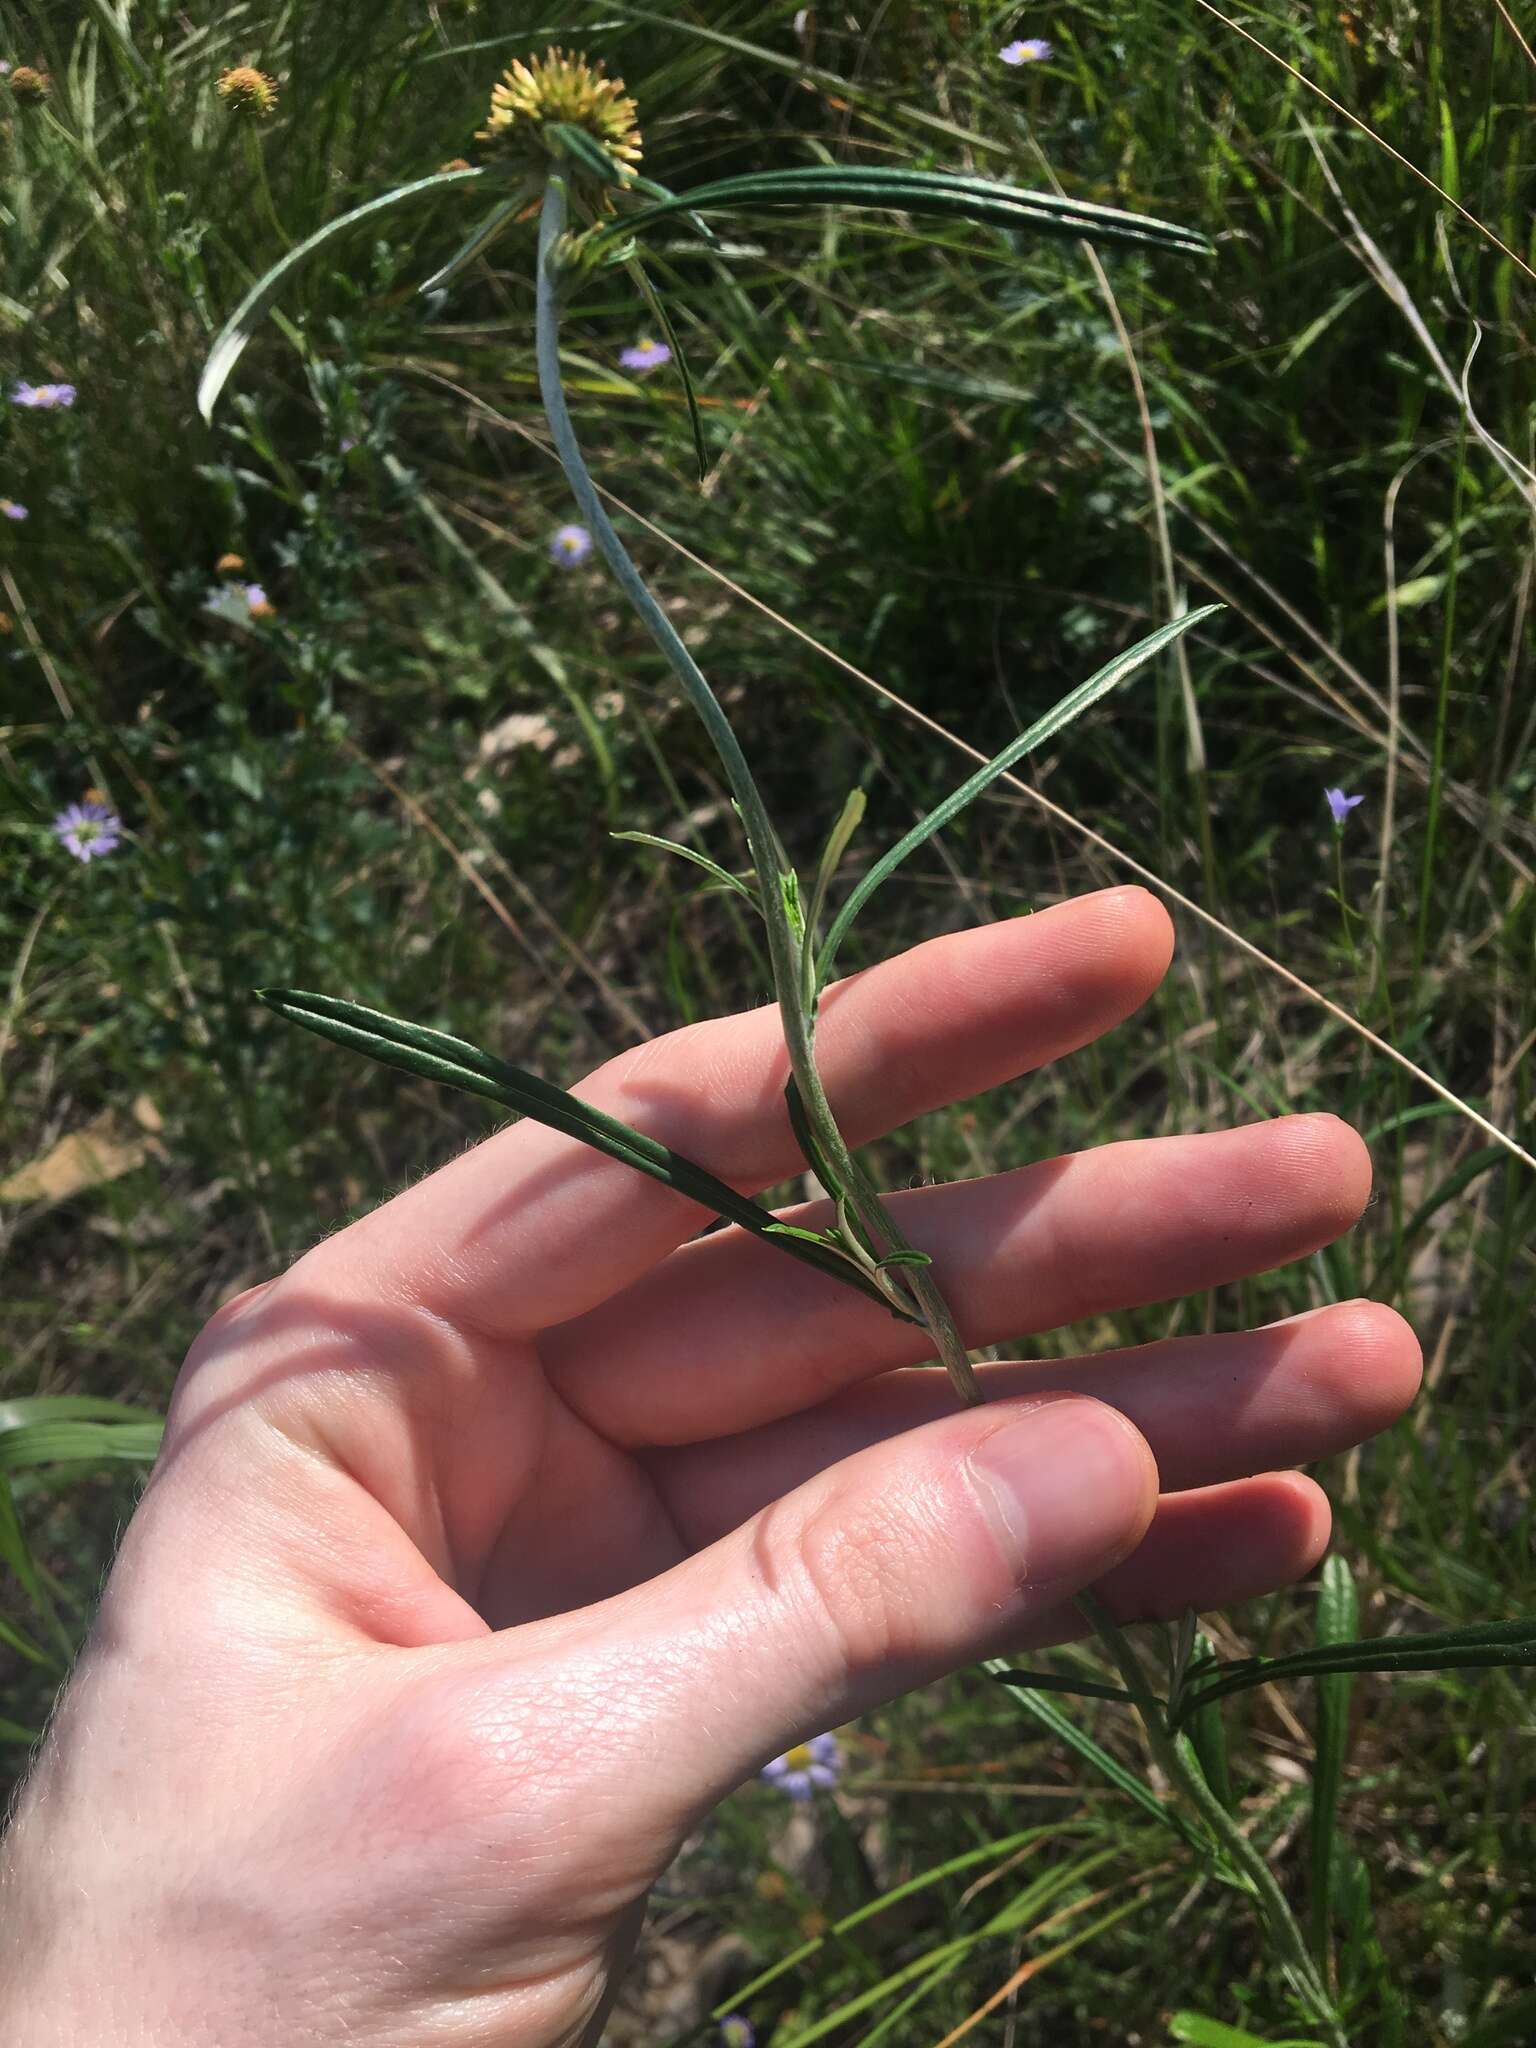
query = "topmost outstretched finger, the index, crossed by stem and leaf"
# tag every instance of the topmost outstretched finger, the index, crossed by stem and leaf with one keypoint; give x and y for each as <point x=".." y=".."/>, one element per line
<point x="534" y="1228"/>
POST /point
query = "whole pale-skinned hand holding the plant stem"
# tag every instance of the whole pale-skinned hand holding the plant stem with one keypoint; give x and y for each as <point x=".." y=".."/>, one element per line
<point x="511" y="1529"/>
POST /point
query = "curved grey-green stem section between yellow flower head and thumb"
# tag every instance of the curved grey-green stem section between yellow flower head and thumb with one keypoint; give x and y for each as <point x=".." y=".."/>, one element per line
<point x="763" y="843"/>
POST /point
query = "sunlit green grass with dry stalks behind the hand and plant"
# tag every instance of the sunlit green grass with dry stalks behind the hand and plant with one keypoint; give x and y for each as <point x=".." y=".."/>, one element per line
<point x="929" y="511"/>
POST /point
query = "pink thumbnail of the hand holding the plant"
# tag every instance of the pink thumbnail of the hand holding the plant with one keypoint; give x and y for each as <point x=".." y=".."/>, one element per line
<point x="1068" y="1488"/>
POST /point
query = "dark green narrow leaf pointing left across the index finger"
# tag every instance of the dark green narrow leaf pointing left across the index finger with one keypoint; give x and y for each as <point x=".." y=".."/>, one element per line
<point x="458" y="1064"/>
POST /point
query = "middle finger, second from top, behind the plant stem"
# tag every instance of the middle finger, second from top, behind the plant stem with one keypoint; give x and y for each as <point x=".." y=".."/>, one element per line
<point x="728" y="1334"/>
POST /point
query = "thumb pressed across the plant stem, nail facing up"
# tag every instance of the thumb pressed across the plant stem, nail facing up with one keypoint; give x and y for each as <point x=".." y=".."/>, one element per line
<point x="878" y="1576"/>
